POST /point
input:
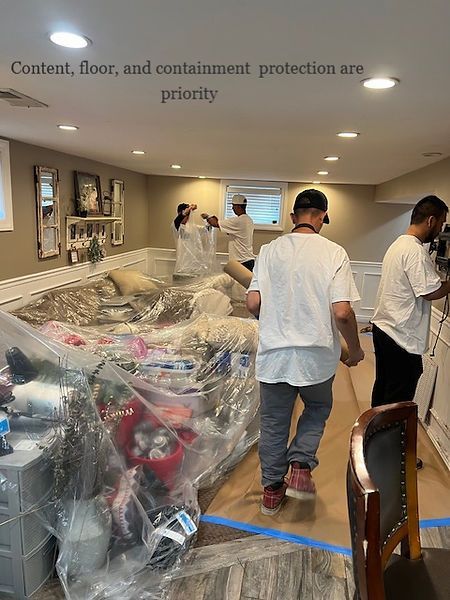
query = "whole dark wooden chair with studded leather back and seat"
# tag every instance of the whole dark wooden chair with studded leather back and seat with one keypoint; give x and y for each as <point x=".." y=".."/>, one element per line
<point x="383" y="511"/>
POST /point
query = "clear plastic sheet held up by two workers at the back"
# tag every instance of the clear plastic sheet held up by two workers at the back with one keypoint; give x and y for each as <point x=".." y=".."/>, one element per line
<point x="196" y="251"/>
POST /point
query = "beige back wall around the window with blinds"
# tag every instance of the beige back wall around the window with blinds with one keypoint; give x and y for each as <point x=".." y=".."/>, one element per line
<point x="364" y="228"/>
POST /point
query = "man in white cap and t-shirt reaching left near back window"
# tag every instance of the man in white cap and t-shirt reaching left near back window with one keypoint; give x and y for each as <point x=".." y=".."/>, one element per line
<point x="240" y="230"/>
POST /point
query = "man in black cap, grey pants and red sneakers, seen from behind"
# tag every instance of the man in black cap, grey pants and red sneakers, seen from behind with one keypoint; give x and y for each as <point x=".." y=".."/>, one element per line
<point x="301" y="290"/>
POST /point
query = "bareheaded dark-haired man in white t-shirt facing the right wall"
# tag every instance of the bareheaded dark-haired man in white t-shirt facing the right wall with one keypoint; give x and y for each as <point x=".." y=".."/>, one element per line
<point x="409" y="282"/>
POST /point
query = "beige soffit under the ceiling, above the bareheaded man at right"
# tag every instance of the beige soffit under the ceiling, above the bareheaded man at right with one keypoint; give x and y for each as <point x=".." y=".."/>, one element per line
<point x="433" y="179"/>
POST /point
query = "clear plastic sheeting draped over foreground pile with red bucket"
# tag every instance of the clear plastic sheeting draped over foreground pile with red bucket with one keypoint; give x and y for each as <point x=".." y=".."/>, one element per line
<point x="128" y="450"/>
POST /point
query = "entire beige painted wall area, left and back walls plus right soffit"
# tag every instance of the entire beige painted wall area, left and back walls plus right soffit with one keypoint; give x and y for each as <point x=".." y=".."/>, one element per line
<point x="362" y="226"/>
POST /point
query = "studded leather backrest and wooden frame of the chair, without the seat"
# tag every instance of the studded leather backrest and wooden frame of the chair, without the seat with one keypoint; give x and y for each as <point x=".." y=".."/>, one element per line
<point x="382" y="492"/>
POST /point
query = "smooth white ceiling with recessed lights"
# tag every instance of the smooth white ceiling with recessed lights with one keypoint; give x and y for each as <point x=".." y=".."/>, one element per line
<point x="274" y="128"/>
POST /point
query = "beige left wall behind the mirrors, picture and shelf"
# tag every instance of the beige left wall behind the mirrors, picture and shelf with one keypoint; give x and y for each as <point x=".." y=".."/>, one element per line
<point x="18" y="248"/>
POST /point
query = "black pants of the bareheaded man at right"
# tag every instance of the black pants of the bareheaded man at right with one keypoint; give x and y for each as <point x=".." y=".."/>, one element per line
<point x="397" y="372"/>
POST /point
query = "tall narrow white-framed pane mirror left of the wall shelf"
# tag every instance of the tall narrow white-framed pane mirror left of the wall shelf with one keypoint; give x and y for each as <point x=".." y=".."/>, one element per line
<point x="47" y="206"/>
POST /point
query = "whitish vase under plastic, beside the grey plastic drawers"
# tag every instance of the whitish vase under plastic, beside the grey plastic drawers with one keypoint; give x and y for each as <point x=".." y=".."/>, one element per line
<point x="85" y="536"/>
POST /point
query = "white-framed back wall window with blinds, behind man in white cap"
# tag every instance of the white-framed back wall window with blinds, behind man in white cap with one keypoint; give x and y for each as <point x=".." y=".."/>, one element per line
<point x="264" y="201"/>
